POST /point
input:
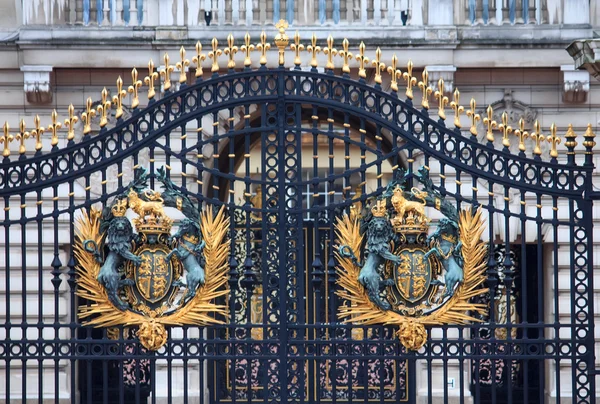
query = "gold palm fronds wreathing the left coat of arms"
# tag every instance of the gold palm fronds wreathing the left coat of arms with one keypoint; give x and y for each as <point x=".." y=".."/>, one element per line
<point x="201" y="310"/>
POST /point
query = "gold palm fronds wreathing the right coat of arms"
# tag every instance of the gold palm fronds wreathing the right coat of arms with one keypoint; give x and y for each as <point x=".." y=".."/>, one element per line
<point x="358" y="308"/>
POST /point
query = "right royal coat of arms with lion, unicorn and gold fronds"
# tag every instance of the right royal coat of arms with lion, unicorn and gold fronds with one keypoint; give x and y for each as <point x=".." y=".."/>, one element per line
<point x="411" y="276"/>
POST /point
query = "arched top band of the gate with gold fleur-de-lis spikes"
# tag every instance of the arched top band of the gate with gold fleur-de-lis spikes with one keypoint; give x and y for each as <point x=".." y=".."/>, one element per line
<point x="331" y="88"/>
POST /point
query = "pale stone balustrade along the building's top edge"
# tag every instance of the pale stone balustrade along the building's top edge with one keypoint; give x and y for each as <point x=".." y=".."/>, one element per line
<point x="364" y="13"/>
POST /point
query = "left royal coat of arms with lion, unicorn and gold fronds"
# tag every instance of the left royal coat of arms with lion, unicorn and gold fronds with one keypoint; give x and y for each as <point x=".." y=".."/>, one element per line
<point x="137" y="272"/>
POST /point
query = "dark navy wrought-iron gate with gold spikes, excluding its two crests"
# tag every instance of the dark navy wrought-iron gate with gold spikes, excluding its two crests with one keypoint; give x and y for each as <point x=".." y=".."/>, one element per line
<point x="282" y="339"/>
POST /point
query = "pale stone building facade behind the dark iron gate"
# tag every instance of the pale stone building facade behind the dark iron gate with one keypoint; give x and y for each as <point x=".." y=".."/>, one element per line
<point x="508" y="54"/>
